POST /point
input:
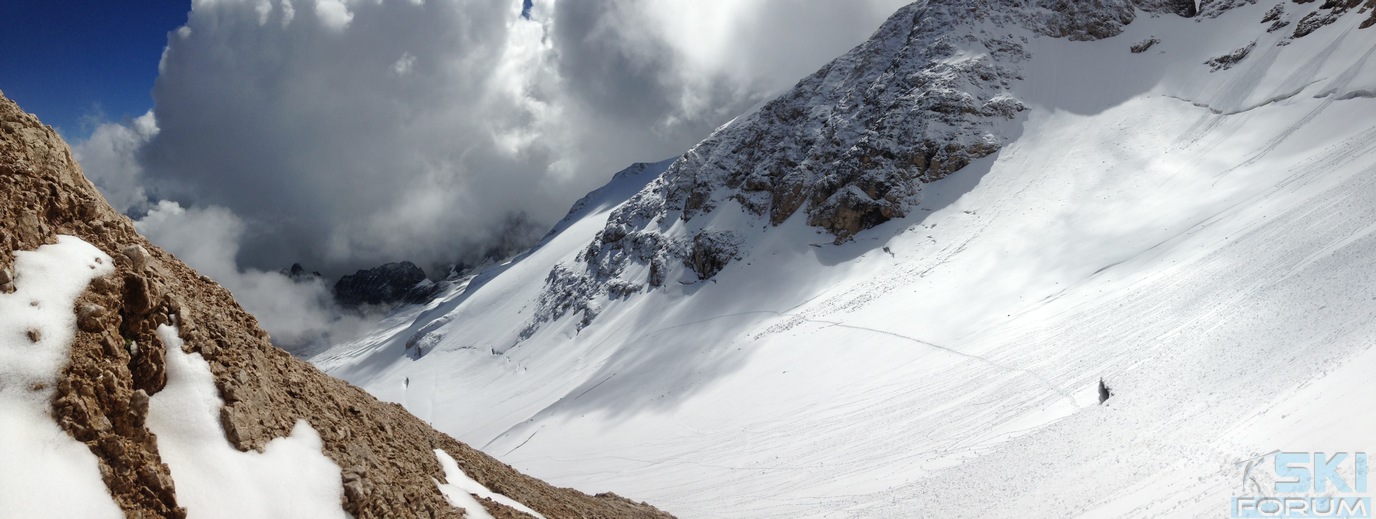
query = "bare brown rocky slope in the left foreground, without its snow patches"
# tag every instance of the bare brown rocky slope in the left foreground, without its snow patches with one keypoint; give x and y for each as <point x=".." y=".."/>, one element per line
<point x="387" y="460"/>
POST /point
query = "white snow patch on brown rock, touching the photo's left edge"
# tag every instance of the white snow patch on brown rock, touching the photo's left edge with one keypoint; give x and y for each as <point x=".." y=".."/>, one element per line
<point x="43" y="472"/>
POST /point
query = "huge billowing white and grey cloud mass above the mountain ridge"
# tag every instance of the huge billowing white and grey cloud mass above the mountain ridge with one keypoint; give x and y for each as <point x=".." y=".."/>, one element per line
<point x="352" y="133"/>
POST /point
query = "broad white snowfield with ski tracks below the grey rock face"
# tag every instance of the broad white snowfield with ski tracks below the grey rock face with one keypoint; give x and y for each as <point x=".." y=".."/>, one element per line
<point x="1203" y="240"/>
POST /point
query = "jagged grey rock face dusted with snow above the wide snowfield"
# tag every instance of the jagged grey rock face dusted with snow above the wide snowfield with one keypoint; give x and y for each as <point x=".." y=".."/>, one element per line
<point x="848" y="148"/>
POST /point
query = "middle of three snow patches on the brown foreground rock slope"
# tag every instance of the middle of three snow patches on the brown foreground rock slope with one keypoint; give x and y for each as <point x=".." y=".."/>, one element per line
<point x="291" y="478"/>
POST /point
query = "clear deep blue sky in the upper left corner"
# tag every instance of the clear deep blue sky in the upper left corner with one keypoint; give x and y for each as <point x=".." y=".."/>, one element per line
<point x="71" y="61"/>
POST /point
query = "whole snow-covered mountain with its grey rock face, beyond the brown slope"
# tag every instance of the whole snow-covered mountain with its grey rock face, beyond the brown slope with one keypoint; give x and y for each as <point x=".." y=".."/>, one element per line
<point x="895" y="290"/>
